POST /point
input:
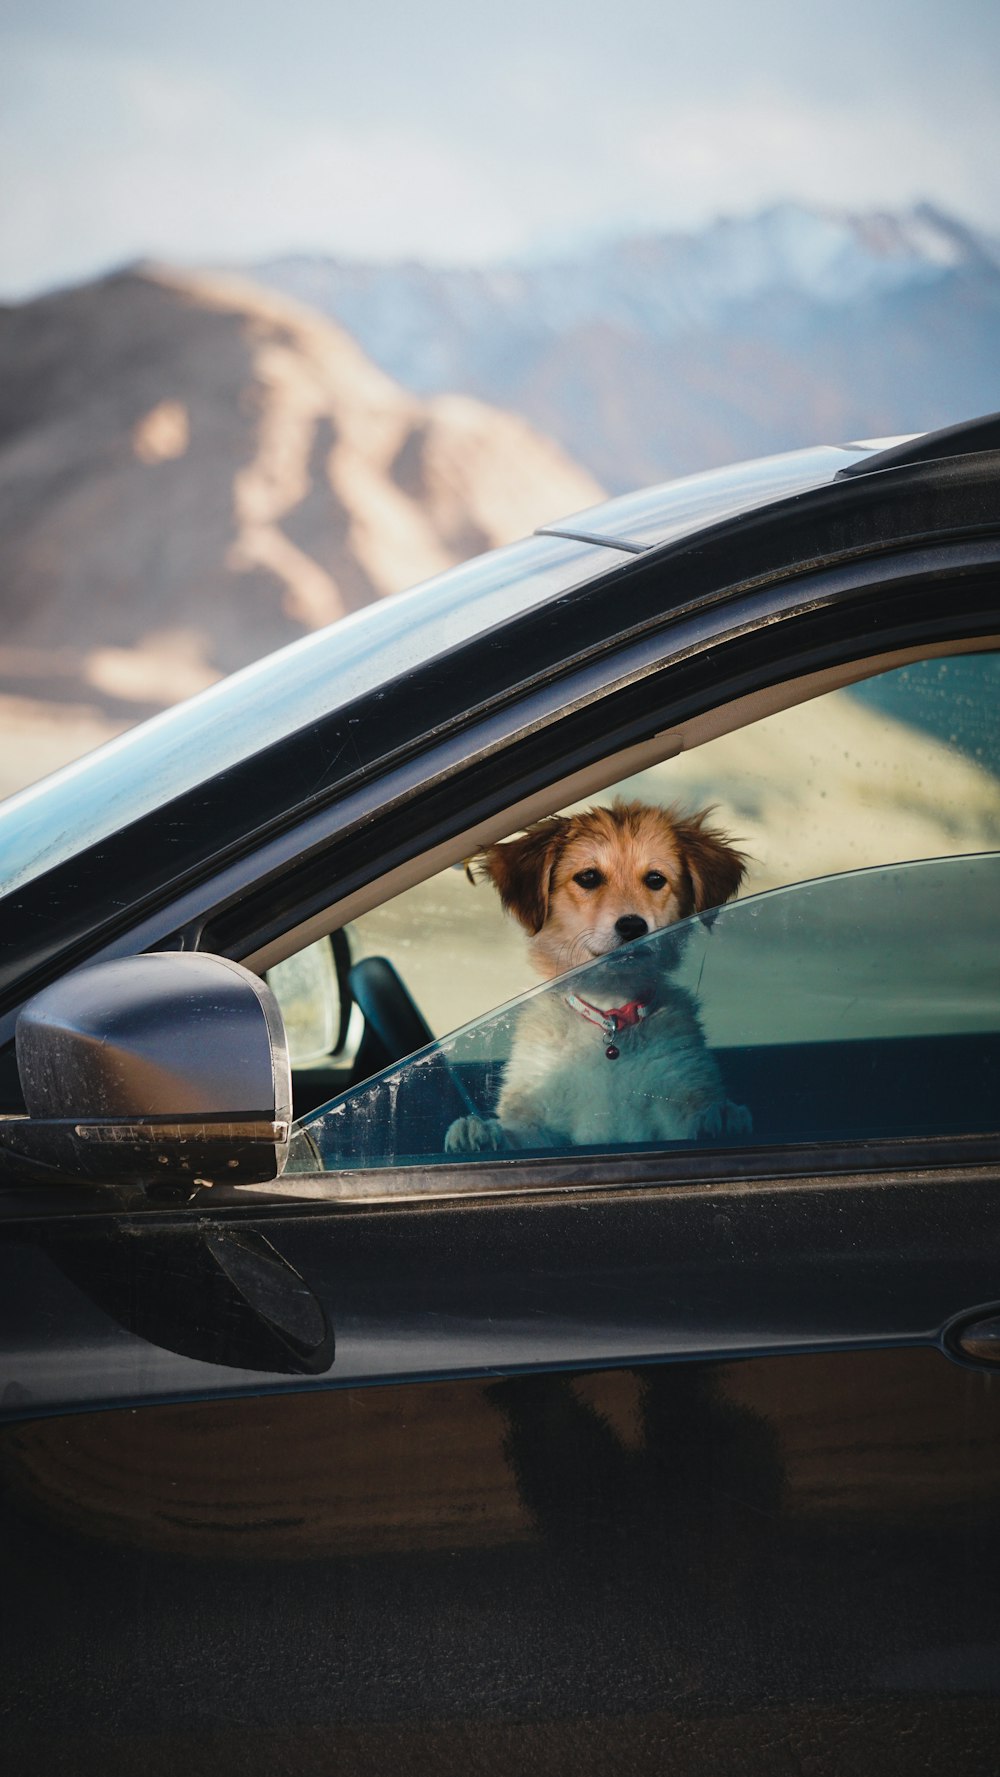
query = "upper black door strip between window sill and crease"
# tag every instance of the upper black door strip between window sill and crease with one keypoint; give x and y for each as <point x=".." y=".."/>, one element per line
<point x="459" y="1287"/>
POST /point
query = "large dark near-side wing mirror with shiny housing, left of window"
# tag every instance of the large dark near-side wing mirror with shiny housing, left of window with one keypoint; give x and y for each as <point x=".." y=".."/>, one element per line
<point x="163" y="1067"/>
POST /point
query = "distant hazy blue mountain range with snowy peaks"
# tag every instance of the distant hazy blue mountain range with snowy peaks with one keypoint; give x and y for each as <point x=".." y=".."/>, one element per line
<point x="667" y="355"/>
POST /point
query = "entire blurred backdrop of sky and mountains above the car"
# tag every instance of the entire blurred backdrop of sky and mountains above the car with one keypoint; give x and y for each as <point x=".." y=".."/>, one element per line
<point x="299" y="312"/>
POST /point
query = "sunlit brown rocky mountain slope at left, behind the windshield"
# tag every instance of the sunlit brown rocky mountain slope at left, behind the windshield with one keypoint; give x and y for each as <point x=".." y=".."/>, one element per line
<point x="194" y="472"/>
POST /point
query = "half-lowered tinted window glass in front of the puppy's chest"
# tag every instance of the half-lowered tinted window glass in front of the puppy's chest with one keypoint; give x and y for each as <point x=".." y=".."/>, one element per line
<point x="861" y="1007"/>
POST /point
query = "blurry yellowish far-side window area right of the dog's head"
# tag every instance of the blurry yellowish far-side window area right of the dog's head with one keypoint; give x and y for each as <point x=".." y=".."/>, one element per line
<point x="900" y="767"/>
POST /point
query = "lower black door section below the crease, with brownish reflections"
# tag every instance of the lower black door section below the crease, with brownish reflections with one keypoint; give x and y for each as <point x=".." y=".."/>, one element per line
<point x="699" y="1568"/>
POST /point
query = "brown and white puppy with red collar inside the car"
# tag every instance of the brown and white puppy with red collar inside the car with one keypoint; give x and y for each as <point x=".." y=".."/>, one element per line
<point x="630" y="1062"/>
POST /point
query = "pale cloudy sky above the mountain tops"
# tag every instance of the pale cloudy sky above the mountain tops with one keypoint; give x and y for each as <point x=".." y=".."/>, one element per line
<point x="115" y="154"/>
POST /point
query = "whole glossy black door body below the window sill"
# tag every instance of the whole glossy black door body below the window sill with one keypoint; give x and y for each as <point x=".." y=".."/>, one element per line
<point x="507" y="1554"/>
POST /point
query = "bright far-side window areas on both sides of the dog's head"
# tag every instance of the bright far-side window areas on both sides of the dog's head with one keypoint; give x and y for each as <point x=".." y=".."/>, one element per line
<point x="905" y="765"/>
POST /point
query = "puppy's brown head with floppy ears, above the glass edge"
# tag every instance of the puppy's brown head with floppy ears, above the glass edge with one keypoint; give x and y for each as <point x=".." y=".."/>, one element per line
<point x="587" y="884"/>
